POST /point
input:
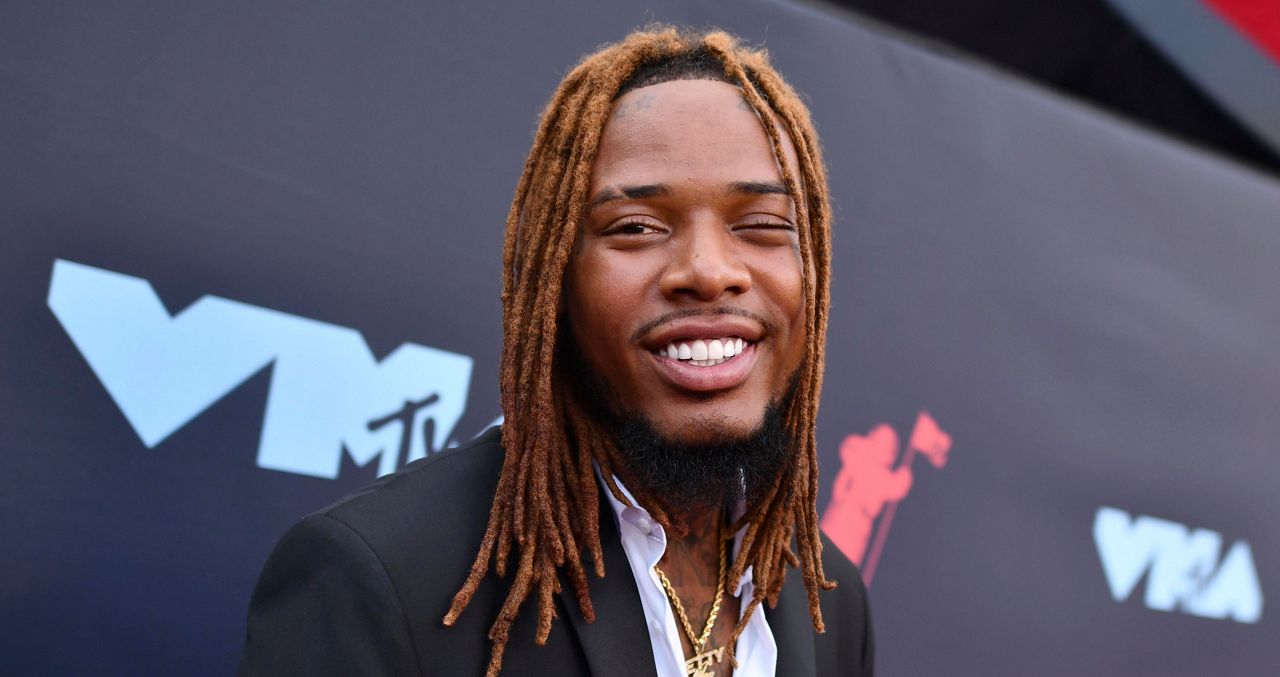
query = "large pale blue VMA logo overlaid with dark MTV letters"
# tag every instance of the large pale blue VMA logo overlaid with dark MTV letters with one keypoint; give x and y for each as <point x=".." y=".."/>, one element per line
<point x="328" y="392"/>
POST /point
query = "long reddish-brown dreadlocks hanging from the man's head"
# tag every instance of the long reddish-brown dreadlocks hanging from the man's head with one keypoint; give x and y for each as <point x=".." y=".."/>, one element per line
<point x="546" y="513"/>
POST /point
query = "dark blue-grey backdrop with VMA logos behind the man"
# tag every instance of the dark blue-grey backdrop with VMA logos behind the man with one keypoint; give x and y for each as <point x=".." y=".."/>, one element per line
<point x="252" y="260"/>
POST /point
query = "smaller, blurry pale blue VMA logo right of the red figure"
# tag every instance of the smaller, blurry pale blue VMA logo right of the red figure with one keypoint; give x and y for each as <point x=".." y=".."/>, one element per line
<point x="1182" y="568"/>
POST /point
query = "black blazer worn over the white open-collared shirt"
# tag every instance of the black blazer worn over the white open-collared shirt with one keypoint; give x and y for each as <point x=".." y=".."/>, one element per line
<point x="360" y="588"/>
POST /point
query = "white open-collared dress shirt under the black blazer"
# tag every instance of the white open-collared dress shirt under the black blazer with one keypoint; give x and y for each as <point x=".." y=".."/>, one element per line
<point x="644" y="542"/>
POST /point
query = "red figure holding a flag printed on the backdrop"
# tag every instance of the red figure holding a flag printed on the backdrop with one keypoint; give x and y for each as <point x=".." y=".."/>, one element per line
<point x="870" y="487"/>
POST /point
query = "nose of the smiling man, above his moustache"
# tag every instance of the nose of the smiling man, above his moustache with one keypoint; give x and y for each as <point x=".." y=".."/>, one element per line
<point x="706" y="264"/>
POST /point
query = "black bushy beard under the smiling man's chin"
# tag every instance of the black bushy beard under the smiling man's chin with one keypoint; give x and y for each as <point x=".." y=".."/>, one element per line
<point x="691" y="478"/>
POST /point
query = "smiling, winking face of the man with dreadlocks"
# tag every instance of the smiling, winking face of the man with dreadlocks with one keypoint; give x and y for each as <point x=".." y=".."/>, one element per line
<point x="685" y="291"/>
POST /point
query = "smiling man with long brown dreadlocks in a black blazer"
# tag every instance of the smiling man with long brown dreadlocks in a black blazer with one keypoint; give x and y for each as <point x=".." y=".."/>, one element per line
<point x="665" y="303"/>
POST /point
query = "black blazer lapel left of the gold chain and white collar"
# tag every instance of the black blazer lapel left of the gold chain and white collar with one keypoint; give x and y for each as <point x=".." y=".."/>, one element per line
<point x="618" y="643"/>
